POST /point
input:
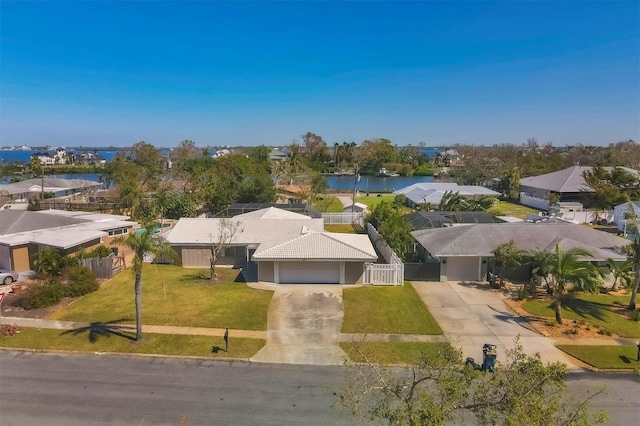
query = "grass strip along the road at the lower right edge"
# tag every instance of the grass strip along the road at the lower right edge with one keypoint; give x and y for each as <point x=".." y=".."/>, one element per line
<point x="615" y="357"/>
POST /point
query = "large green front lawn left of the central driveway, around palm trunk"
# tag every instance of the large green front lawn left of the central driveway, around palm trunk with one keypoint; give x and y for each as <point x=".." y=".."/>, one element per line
<point x="190" y="301"/>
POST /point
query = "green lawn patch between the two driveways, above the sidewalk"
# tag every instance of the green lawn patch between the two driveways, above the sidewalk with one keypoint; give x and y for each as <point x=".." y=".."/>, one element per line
<point x="386" y="309"/>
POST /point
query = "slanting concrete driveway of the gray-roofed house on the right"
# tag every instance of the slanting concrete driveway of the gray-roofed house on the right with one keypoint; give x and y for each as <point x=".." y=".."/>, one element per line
<point x="472" y="315"/>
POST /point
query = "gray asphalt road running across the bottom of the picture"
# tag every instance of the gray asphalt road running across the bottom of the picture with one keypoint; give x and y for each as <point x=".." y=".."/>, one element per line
<point x="68" y="390"/>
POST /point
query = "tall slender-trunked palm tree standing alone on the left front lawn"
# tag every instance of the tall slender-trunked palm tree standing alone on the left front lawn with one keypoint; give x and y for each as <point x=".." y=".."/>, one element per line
<point x="142" y="244"/>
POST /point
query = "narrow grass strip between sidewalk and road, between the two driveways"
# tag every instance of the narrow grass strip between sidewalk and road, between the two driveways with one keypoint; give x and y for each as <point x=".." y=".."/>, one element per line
<point x="389" y="353"/>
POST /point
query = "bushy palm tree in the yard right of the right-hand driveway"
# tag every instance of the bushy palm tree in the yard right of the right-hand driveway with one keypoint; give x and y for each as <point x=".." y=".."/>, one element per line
<point x="568" y="269"/>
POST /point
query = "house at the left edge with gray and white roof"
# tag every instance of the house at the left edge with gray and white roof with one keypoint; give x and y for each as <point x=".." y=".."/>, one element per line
<point x="24" y="233"/>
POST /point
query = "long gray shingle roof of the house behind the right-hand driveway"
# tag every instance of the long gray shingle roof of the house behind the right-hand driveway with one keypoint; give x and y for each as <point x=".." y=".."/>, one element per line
<point x="482" y="239"/>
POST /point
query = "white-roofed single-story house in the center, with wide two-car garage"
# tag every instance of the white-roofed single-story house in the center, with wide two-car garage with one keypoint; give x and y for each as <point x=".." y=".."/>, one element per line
<point x="281" y="246"/>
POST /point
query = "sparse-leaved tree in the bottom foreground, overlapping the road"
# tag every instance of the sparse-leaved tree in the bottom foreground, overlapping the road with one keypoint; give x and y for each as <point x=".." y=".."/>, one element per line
<point x="437" y="389"/>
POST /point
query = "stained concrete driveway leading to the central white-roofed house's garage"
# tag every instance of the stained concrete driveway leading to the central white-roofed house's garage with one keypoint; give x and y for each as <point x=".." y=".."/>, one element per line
<point x="303" y="325"/>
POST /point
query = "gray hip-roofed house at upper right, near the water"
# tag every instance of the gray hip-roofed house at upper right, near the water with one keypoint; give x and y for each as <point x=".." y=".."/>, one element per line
<point x="568" y="184"/>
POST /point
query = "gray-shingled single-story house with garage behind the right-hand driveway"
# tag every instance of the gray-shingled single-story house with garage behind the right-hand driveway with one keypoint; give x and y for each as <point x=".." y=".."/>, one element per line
<point x="465" y="252"/>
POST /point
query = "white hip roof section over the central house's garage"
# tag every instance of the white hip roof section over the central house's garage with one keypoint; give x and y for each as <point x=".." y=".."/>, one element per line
<point x="321" y="246"/>
